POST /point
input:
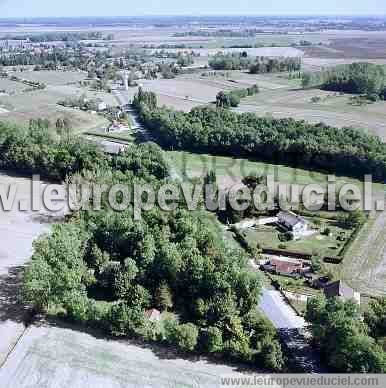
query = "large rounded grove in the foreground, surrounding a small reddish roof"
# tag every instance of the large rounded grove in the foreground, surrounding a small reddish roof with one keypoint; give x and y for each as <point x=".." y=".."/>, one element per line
<point x="107" y="270"/>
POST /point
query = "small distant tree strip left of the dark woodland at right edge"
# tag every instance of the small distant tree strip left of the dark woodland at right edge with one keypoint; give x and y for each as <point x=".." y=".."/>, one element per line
<point x="241" y="61"/>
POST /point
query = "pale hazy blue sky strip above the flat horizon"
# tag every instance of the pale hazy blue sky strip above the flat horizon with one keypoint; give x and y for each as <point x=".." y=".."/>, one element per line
<point x="30" y="8"/>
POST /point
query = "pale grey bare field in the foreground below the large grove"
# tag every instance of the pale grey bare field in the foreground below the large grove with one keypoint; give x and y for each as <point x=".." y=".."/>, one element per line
<point x="49" y="357"/>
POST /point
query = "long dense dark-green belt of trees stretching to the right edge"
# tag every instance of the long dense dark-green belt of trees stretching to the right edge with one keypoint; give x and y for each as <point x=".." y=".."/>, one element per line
<point x="345" y="151"/>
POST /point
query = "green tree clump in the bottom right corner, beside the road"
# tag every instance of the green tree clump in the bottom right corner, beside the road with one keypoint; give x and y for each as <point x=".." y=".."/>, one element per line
<point x="343" y="338"/>
